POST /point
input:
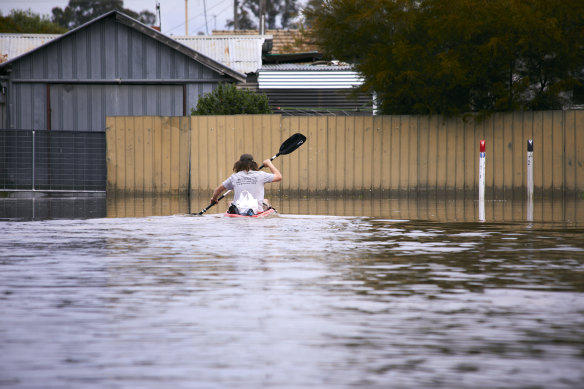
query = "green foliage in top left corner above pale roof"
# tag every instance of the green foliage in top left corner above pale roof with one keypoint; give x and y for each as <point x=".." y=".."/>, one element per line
<point x="18" y="21"/>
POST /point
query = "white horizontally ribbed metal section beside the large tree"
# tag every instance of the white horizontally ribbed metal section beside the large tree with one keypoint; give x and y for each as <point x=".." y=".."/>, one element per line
<point x="291" y="76"/>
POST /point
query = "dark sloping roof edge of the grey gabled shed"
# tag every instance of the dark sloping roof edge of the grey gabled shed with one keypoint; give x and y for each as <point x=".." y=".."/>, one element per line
<point x="136" y="25"/>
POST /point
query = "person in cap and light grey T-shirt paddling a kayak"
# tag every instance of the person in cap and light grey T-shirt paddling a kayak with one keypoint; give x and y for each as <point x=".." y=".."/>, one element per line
<point x="247" y="182"/>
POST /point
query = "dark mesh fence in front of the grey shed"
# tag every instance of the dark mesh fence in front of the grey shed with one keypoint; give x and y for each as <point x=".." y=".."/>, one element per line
<point x="52" y="160"/>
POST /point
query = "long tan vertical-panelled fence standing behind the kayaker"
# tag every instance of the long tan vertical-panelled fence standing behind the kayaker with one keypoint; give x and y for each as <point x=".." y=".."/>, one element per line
<point x="351" y="154"/>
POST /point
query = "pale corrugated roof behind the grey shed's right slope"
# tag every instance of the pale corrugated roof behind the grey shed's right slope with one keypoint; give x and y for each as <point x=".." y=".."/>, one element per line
<point x="242" y="53"/>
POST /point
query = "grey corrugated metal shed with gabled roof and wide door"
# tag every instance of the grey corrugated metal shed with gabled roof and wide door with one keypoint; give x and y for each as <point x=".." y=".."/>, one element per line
<point x="110" y="66"/>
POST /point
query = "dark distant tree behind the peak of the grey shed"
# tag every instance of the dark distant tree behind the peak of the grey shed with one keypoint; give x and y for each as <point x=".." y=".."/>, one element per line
<point x="79" y="12"/>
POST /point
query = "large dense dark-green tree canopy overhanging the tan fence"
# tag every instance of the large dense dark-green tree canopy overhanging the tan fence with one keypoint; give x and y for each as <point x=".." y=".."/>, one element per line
<point x="456" y="56"/>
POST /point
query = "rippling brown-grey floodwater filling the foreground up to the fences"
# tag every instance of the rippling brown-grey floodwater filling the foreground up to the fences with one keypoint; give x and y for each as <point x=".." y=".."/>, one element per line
<point x="134" y="293"/>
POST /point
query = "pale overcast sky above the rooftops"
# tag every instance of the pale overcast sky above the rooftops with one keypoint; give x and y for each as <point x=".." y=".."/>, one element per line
<point x="172" y="12"/>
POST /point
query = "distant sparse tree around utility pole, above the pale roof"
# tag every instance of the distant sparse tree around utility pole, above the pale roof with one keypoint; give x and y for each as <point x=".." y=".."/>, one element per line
<point x="286" y="10"/>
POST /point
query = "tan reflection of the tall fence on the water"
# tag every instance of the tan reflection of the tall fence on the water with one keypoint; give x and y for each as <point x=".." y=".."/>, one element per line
<point x="570" y="211"/>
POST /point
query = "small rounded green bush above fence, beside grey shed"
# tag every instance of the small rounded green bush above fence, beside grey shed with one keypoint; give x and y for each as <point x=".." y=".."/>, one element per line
<point x="228" y="100"/>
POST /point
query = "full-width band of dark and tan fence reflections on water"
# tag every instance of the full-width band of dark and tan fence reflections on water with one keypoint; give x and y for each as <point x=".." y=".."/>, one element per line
<point x="46" y="206"/>
